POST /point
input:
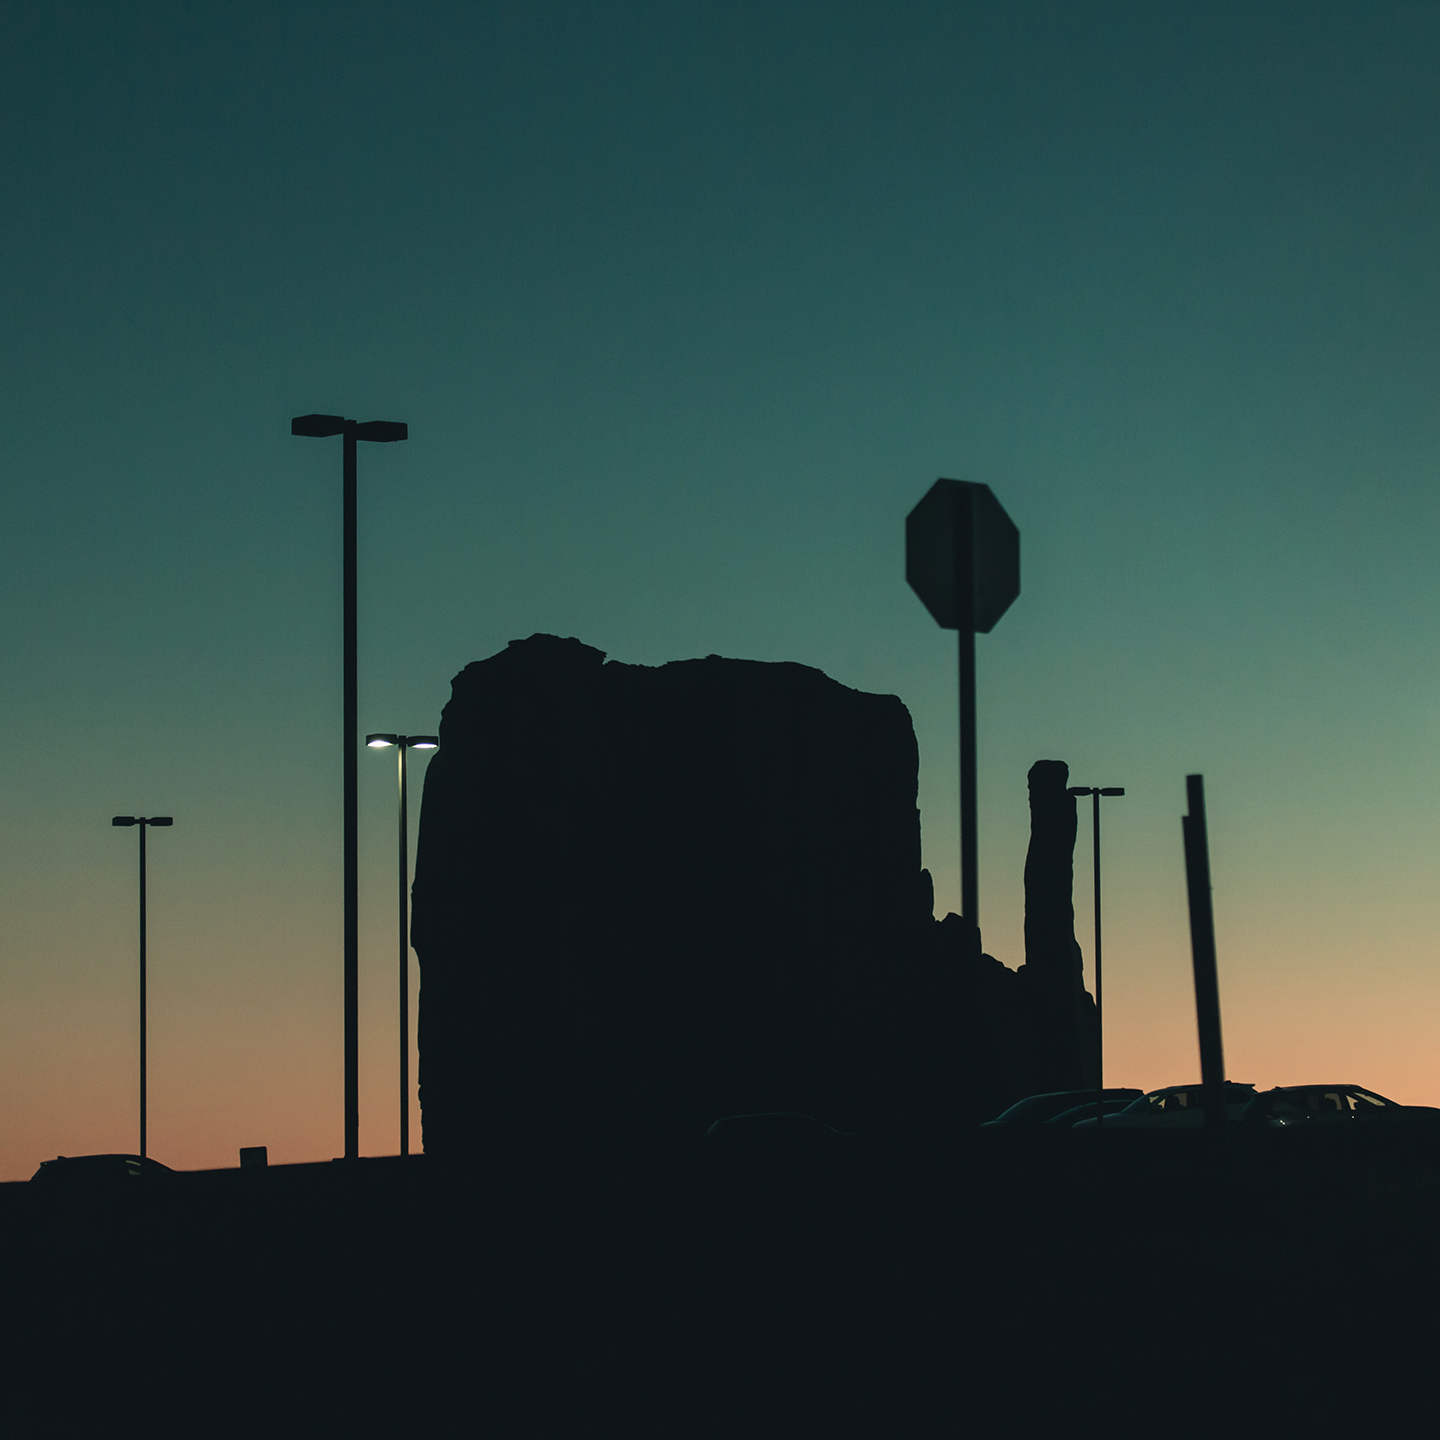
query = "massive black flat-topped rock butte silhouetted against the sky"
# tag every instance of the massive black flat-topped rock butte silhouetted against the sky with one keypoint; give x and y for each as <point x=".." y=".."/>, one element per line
<point x="652" y="896"/>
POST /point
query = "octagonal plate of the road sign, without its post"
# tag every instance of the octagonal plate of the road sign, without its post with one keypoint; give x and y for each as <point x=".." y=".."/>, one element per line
<point x="961" y="536"/>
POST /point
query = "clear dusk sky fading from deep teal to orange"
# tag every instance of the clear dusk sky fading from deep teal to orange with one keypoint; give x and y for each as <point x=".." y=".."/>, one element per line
<point x="686" y="306"/>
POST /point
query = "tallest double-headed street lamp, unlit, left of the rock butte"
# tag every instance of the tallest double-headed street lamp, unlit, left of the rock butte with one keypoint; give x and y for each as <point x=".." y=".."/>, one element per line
<point x="320" y="427"/>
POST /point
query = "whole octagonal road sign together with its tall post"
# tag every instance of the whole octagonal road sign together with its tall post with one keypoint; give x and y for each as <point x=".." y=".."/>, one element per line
<point x="963" y="559"/>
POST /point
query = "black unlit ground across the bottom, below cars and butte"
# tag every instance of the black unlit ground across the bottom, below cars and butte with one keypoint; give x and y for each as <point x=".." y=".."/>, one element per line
<point x="1156" y="1290"/>
